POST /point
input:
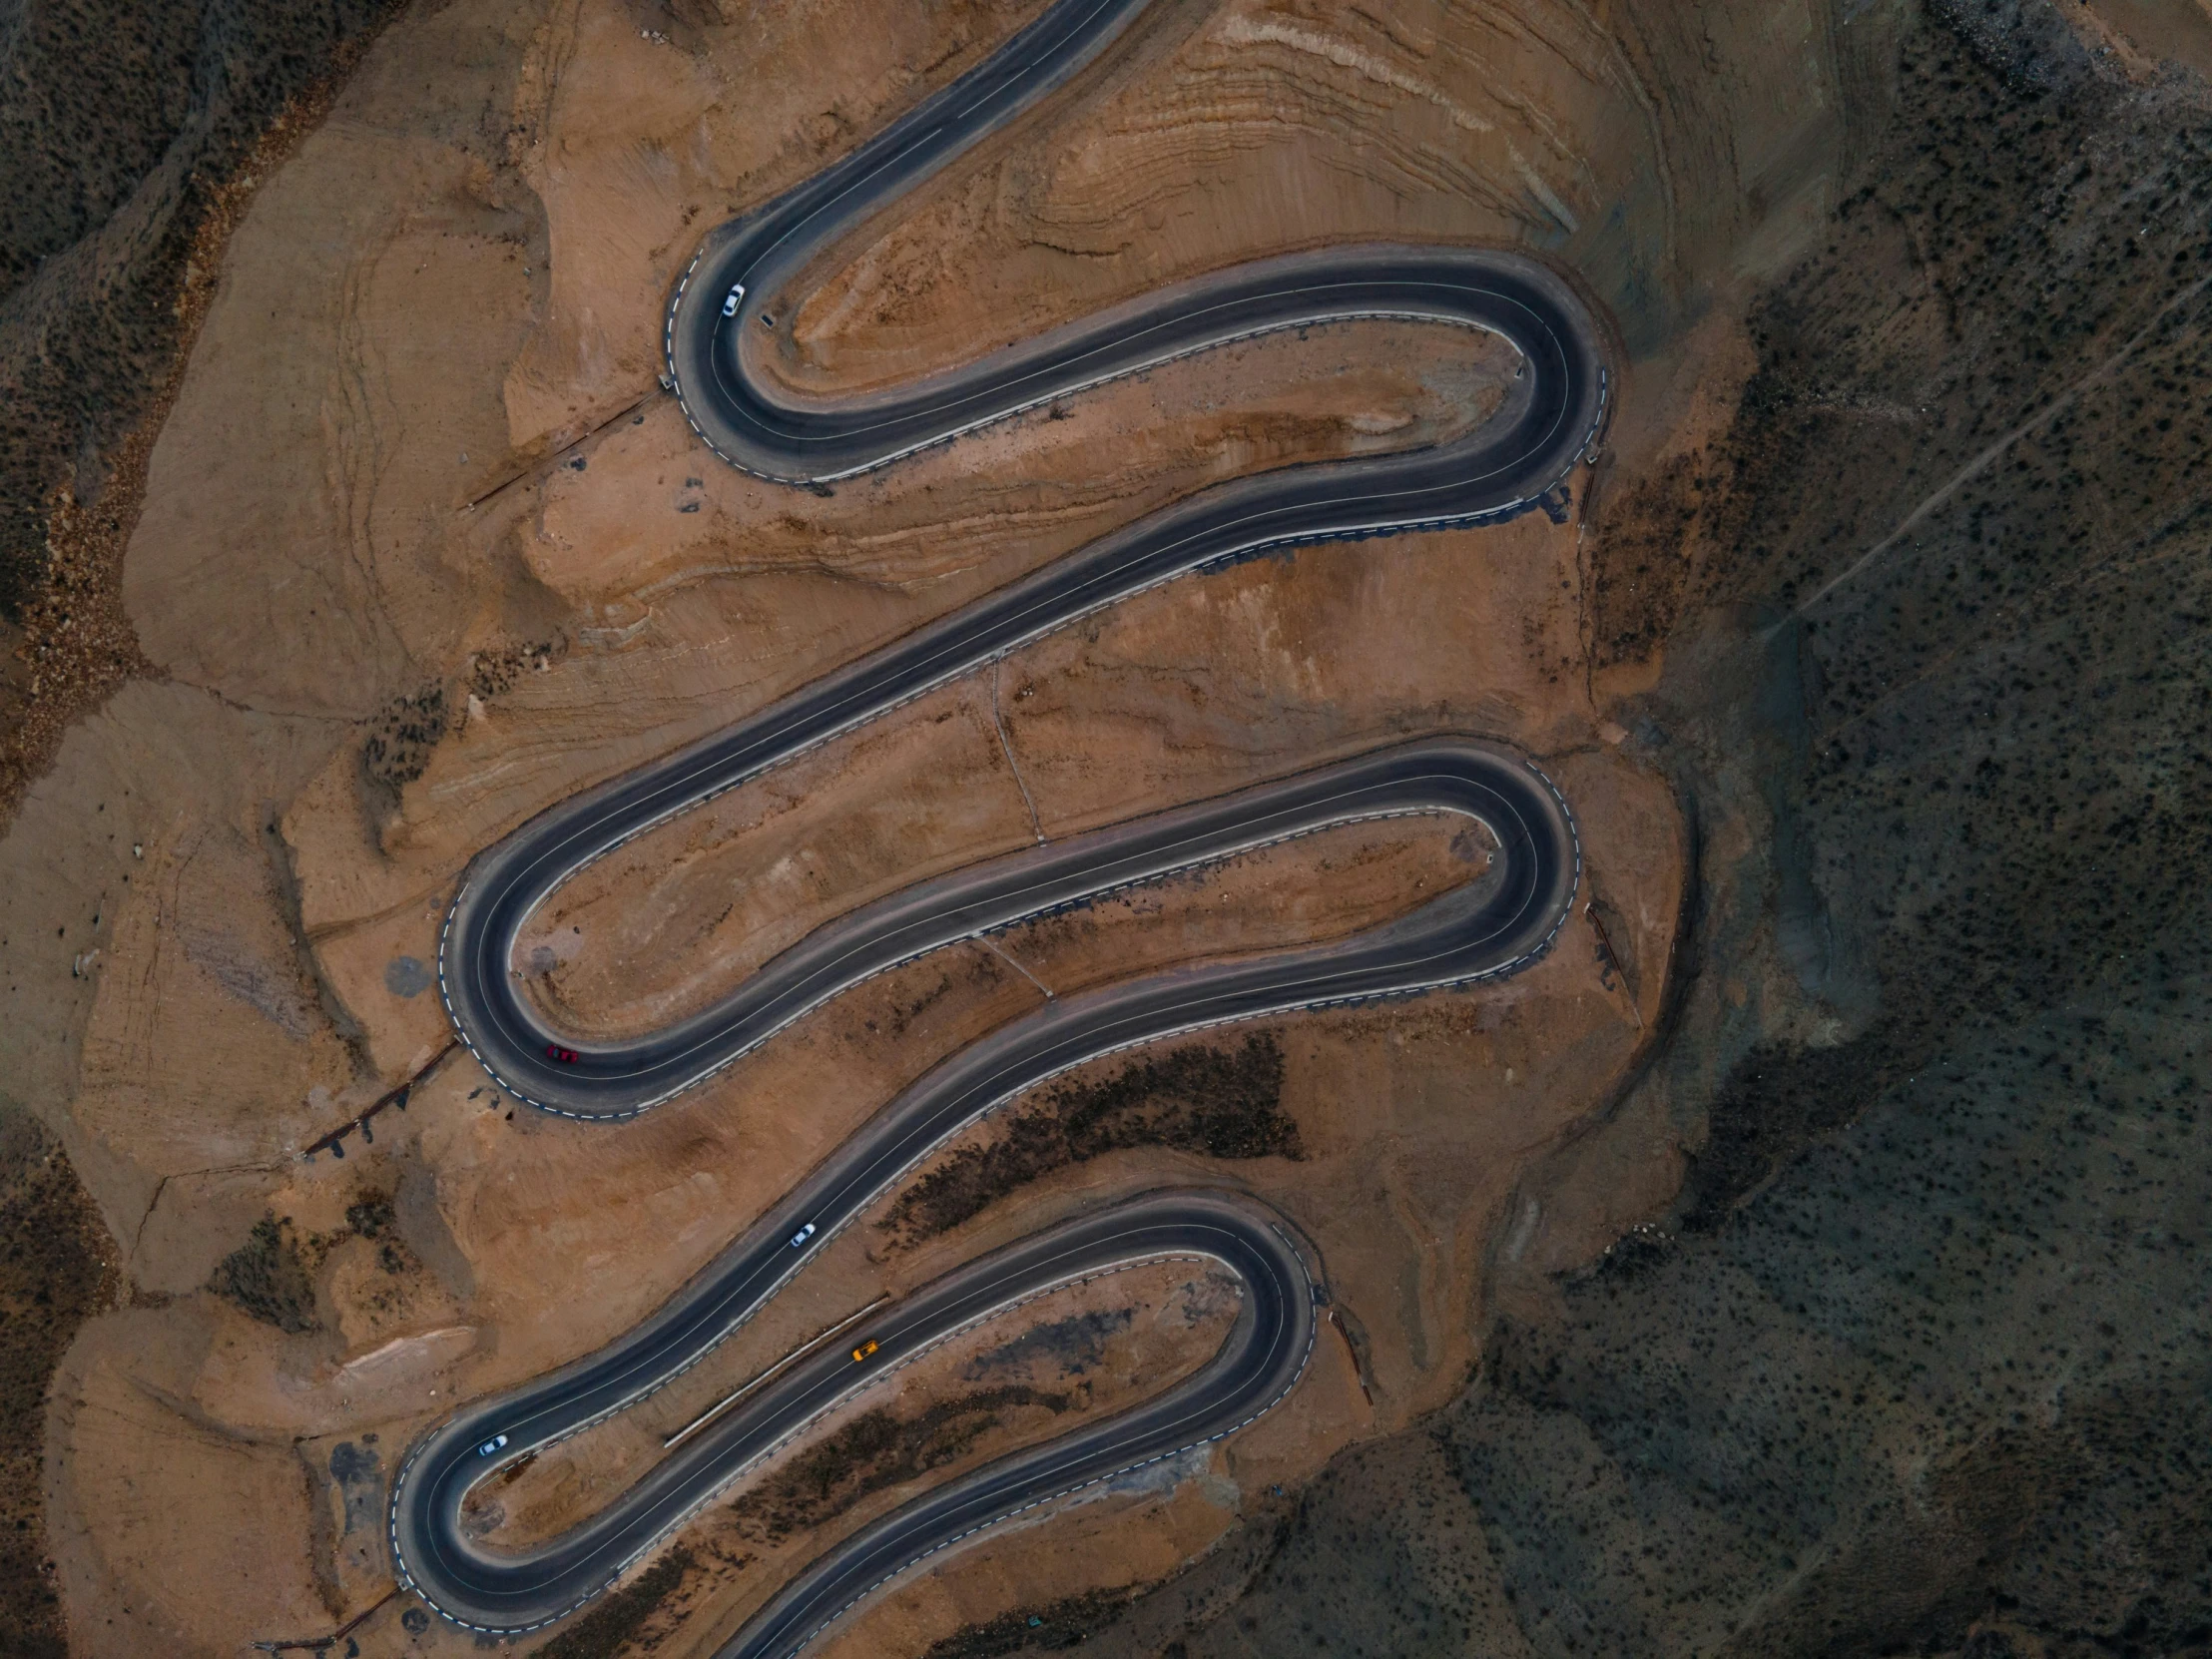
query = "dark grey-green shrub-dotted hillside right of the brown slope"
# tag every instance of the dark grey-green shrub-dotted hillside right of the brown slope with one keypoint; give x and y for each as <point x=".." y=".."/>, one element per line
<point x="1919" y="1359"/>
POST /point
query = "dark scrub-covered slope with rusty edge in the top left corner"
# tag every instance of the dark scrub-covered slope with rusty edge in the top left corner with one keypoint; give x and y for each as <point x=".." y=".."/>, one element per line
<point x="132" y="138"/>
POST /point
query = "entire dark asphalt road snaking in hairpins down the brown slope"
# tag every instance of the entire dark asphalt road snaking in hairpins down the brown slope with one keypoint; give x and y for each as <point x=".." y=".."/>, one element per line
<point x="720" y="317"/>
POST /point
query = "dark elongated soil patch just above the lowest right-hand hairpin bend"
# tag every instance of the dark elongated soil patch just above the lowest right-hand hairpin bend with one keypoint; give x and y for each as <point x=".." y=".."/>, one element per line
<point x="1218" y="1103"/>
